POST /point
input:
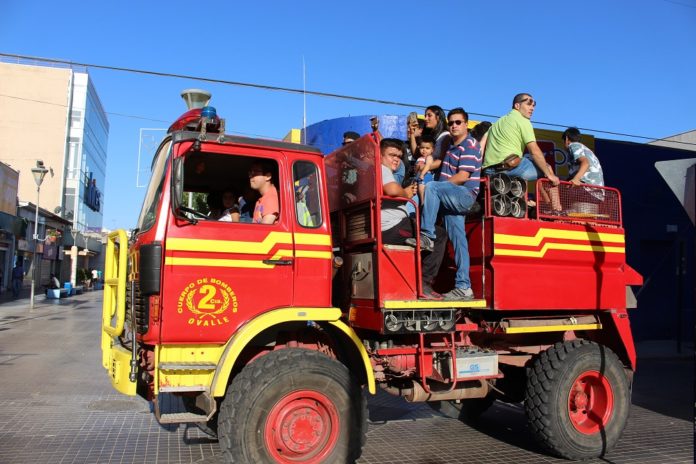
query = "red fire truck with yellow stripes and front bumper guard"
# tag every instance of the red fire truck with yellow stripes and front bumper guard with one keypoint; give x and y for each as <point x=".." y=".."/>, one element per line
<point x="271" y="335"/>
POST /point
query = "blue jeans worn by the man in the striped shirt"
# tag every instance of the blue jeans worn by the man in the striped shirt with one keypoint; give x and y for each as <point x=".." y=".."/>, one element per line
<point x="453" y="201"/>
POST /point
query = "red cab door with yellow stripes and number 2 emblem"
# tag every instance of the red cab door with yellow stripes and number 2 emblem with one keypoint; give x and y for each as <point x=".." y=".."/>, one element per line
<point x="217" y="274"/>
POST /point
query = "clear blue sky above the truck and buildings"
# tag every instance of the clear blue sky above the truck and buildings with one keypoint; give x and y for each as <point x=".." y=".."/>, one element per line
<point x="616" y="65"/>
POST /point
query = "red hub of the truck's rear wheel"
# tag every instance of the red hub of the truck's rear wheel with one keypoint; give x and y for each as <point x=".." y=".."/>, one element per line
<point x="590" y="402"/>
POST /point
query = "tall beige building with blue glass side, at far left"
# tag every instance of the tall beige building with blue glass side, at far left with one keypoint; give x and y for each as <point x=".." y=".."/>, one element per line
<point x="52" y="117"/>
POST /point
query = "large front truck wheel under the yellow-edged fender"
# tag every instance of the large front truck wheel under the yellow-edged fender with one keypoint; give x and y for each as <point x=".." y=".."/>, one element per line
<point x="293" y="406"/>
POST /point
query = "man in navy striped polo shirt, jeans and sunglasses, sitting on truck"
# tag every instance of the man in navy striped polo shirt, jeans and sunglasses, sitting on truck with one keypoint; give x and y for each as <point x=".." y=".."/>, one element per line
<point x="452" y="197"/>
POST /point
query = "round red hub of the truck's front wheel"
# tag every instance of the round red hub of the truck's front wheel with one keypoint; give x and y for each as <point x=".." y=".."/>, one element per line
<point x="302" y="427"/>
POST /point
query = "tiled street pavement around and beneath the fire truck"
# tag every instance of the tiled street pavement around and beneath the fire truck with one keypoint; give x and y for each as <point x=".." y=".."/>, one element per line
<point x="56" y="406"/>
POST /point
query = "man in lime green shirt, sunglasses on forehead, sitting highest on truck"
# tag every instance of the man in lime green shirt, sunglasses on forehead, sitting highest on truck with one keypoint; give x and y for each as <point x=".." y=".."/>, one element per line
<point x="510" y="135"/>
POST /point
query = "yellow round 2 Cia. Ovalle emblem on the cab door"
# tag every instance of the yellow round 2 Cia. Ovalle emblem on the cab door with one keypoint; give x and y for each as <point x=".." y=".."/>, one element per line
<point x="208" y="299"/>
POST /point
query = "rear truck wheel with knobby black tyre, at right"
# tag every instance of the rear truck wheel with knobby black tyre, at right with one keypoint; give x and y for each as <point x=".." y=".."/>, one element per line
<point x="577" y="399"/>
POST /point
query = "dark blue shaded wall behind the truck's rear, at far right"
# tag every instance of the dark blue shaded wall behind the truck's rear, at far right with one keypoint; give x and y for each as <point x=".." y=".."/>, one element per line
<point x="666" y="300"/>
